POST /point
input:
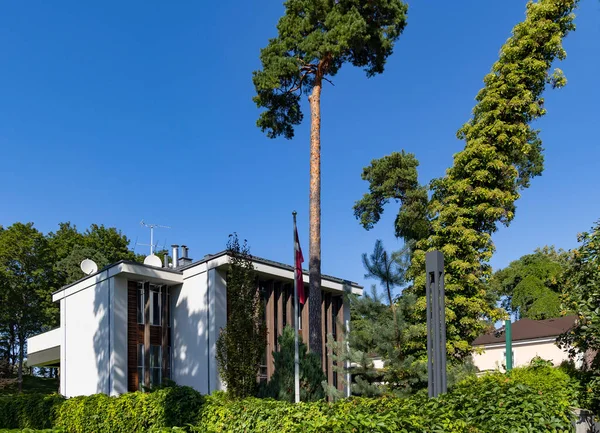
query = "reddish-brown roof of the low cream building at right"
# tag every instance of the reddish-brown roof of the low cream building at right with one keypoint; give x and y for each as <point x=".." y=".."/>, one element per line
<point x="528" y="329"/>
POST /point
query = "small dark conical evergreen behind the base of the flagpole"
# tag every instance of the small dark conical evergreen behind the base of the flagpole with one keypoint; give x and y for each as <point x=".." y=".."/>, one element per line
<point x="281" y="386"/>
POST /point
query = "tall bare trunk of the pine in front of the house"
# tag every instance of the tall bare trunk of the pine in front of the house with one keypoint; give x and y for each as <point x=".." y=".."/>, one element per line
<point x="314" y="300"/>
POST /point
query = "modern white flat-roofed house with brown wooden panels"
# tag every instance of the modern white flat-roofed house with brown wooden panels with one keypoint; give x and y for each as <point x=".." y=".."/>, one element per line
<point x="131" y="324"/>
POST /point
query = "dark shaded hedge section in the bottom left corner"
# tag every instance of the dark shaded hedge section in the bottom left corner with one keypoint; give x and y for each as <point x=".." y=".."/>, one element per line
<point x="37" y="411"/>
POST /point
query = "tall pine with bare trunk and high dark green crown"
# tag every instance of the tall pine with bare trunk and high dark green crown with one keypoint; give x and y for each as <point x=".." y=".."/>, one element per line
<point x="315" y="38"/>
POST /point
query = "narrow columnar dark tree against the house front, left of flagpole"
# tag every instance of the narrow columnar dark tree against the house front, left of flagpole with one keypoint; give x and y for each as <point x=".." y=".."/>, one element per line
<point x="242" y="342"/>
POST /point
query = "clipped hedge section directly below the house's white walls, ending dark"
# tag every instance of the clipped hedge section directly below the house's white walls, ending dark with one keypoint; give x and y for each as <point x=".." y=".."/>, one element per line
<point x="133" y="412"/>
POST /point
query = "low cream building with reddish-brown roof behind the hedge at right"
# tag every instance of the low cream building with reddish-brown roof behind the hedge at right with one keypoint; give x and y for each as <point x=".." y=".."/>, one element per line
<point x="530" y="338"/>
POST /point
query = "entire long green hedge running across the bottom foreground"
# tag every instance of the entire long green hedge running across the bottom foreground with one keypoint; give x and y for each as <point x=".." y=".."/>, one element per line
<point x="525" y="400"/>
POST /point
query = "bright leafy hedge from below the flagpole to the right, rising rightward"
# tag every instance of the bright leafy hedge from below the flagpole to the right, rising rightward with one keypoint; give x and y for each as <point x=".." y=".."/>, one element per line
<point x="495" y="403"/>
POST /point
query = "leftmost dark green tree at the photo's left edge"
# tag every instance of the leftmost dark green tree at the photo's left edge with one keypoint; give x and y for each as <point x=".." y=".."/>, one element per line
<point x="25" y="268"/>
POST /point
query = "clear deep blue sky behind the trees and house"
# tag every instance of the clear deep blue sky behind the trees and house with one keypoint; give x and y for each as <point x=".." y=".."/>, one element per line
<point x="111" y="112"/>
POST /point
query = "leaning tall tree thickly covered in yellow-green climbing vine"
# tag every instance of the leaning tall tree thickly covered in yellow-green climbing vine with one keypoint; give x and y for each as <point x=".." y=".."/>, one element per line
<point x="502" y="153"/>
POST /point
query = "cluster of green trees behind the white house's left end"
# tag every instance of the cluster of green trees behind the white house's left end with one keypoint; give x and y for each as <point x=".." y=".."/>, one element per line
<point x="34" y="265"/>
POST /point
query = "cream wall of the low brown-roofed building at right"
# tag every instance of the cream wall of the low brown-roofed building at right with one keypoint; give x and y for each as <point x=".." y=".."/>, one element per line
<point x="524" y="351"/>
